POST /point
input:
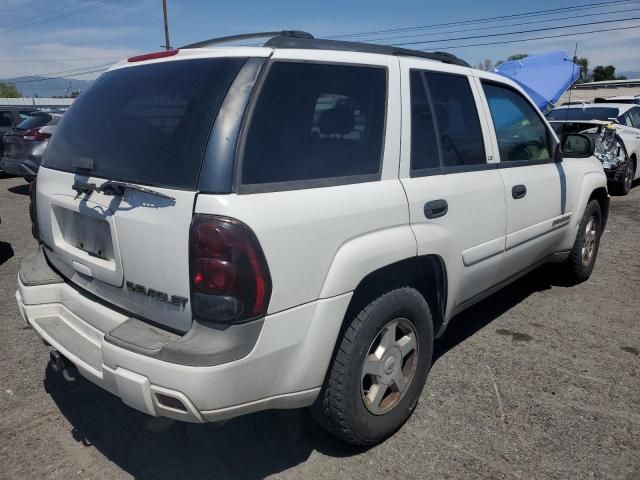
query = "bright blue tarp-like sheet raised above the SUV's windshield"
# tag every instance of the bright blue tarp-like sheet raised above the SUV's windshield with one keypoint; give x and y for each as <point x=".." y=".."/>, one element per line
<point x="544" y="77"/>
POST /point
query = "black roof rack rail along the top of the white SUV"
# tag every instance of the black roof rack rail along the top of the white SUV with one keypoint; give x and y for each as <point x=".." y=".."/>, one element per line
<point x="304" y="40"/>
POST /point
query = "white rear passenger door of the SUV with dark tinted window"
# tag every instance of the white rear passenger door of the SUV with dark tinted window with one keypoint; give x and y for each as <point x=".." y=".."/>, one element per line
<point x="455" y="192"/>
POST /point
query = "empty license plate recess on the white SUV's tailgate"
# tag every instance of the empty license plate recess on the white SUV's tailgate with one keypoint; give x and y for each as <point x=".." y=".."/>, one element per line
<point x="87" y="233"/>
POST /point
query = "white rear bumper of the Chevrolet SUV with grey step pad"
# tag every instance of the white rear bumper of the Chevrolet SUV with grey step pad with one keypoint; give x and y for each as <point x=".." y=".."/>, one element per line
<point x="284" y="368"/>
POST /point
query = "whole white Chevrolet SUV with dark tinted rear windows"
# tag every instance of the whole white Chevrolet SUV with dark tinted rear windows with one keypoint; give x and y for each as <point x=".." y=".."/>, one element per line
<point x="232" y="229"/>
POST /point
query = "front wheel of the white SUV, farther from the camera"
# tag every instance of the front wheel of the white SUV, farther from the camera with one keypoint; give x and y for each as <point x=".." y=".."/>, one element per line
<point x="580" y="263"/>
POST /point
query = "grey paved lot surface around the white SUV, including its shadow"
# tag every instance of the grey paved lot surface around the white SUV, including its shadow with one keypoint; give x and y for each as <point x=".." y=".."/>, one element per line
<point x="538" y="381"/>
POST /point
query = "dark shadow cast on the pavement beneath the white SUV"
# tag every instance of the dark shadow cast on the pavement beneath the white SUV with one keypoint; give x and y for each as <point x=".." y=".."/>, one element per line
<point x="249" y="447"/>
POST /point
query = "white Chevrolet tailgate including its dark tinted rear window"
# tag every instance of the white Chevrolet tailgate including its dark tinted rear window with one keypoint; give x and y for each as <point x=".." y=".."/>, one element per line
<point x="148" y="126"/>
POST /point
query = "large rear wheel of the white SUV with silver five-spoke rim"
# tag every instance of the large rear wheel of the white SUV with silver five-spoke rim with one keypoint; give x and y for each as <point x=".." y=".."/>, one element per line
<point x="347" y="406"/>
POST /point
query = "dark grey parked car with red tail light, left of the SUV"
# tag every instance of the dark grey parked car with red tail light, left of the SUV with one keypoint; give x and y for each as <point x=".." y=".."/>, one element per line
<point x="26" y="143"/>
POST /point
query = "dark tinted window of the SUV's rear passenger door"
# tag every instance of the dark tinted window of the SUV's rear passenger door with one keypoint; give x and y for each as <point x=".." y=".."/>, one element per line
<point x="445" y="128"/>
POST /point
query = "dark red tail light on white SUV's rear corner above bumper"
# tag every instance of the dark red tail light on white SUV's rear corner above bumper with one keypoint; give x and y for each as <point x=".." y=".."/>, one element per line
<point x="230" y="280"/>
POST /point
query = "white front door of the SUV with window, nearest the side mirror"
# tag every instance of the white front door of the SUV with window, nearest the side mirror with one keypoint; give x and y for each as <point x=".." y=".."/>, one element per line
<point x="535" y="184"/>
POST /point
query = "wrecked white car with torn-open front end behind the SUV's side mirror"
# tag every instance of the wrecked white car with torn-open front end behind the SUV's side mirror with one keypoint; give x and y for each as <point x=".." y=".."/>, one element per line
<point x="621" y="161"/>
